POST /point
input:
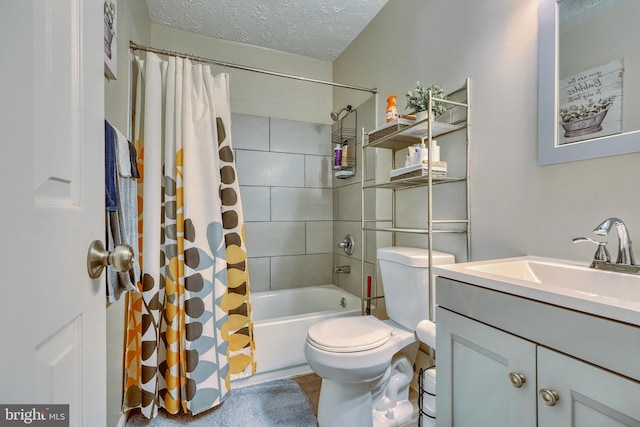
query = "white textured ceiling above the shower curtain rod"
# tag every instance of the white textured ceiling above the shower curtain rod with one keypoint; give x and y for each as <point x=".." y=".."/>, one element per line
<point x="320" y="29"/>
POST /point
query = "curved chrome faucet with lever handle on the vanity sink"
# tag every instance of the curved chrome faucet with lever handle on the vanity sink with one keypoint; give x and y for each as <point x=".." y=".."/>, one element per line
<point x="625" y="262"/>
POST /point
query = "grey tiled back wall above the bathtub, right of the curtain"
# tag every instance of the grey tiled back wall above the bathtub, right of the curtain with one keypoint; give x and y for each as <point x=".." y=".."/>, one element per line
<point x="284" y="171"/>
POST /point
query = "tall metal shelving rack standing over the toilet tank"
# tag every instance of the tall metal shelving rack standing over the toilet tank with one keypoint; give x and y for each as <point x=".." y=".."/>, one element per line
<point x="398" y="136"/>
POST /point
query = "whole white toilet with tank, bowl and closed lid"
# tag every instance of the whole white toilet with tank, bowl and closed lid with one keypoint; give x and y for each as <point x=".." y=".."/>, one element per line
<point x="366" y="364"/>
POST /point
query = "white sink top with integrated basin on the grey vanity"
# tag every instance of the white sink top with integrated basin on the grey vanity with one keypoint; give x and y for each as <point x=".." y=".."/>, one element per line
<point x="609" y="294"/>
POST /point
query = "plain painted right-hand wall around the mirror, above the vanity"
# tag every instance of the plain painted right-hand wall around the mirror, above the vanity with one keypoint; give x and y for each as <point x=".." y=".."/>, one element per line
<point x="518" y="207"/>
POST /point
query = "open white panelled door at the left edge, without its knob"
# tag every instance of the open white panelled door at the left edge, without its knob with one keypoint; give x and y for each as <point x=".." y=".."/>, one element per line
<point x="52" y="315"/>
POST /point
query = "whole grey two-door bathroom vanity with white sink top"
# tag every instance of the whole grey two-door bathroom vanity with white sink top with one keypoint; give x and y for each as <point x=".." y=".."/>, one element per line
<point x="536" y="342"/>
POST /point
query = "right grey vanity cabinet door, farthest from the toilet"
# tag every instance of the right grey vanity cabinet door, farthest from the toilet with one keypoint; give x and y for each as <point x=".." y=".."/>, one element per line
<point x="588" y="396"/>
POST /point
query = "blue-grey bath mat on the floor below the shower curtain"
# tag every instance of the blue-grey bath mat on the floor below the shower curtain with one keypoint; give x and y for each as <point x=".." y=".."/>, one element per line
<point x="274" y="403"/>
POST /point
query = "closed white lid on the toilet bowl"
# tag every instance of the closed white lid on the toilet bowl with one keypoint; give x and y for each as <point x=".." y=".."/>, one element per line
<point x="349" y="334"/>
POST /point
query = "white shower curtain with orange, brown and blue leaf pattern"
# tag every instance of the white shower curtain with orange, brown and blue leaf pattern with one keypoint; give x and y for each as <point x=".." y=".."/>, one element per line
<point x="189" y="331"/>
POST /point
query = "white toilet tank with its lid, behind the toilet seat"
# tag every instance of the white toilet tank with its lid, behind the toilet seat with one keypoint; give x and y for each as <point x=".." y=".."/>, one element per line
<point x="405" y="280"/>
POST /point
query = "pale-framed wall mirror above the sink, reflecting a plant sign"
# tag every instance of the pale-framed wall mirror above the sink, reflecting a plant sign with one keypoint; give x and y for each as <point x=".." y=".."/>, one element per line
<point x="589" y="79"/>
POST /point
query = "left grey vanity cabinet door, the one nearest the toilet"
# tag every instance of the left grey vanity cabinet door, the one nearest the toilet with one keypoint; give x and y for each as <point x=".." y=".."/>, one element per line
<point x="474" y="363"/>
